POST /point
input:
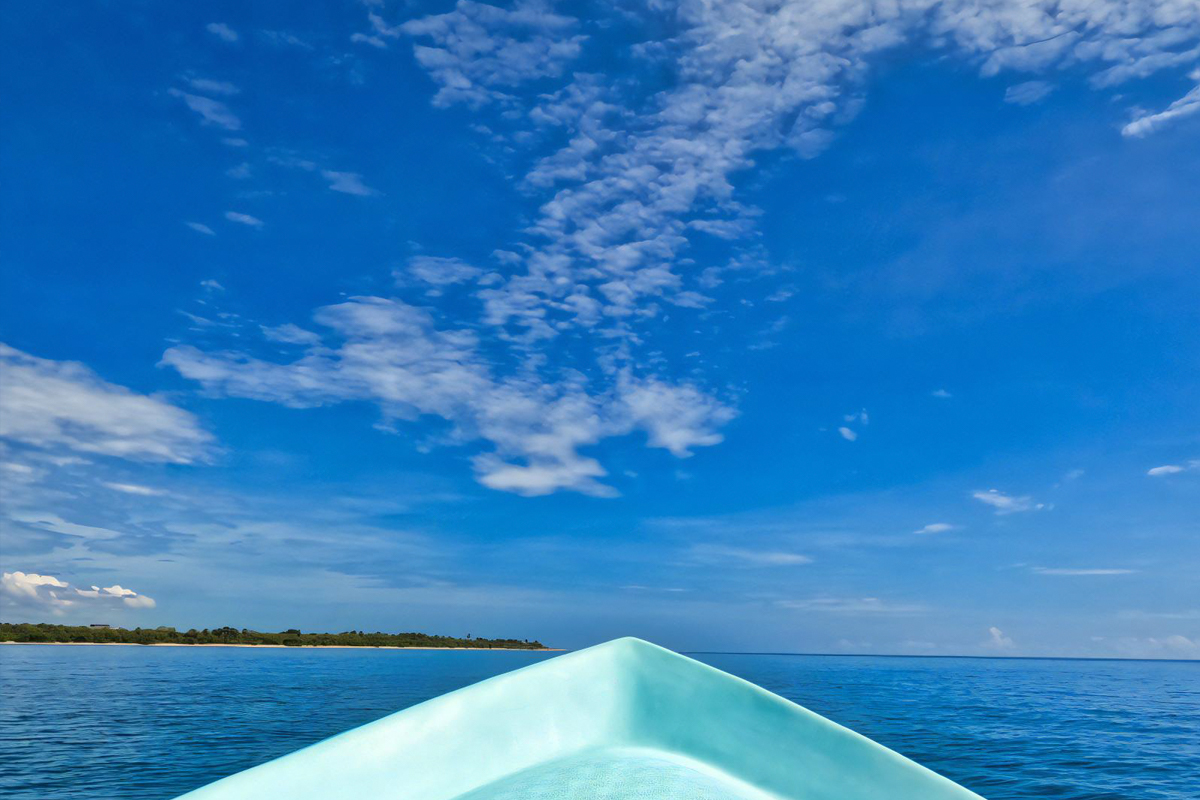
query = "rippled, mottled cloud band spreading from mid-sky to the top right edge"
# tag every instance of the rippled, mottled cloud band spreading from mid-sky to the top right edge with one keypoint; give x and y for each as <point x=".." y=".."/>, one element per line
<point x="639" y="177"/>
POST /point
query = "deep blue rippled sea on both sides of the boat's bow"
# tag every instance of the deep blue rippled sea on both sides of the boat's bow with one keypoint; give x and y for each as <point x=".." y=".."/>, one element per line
<point x="149" y="724"/>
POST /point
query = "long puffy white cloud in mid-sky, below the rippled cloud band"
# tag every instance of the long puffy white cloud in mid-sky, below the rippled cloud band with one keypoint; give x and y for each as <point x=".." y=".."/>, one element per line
<point x="394" y="354"/>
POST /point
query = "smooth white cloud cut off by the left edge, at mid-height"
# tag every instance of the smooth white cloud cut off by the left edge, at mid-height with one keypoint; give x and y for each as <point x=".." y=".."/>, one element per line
<point x="62" y="405"/>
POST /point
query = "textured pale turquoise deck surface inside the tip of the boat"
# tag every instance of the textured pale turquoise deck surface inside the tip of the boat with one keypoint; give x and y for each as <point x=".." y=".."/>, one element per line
<point x="619" y="774"/>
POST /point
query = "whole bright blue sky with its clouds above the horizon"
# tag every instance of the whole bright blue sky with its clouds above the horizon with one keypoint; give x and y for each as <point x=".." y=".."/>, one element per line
<point x="807" y="327"/>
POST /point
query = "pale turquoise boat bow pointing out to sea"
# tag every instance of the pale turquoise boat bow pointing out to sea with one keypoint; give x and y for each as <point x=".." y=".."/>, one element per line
<point x="623" y="720"/>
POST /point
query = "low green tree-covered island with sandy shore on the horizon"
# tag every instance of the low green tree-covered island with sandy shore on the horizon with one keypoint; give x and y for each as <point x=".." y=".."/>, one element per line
<point x="50" y="634"/>
